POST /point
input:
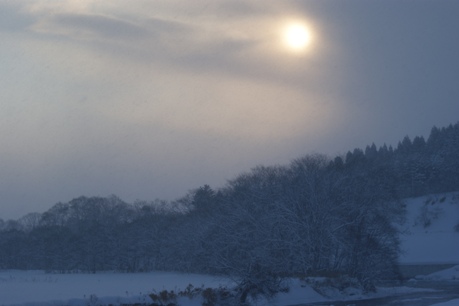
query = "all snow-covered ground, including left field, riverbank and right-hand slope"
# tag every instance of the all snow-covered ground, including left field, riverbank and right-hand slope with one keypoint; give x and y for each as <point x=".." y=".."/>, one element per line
<point x="436" y="243"/>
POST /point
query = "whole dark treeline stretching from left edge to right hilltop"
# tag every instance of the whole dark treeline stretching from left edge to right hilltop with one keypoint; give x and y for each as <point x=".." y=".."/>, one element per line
<point x="315" y="216"/>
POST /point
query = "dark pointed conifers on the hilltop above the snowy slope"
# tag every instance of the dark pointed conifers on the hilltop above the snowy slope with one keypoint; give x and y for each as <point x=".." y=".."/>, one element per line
<point x="417" y="166"/>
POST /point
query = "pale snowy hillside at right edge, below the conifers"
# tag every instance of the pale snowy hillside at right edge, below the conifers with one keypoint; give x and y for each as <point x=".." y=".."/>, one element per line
<point x="429" y="235"/>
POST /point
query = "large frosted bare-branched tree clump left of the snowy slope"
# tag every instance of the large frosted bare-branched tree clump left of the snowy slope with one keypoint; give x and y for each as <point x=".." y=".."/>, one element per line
<point x="307" y="219"/>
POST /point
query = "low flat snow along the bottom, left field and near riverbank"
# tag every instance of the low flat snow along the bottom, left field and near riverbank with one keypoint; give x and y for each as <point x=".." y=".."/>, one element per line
<point x="36" y="288"/>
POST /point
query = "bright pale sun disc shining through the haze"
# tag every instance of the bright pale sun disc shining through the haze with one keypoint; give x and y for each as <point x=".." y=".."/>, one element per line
<point x="296" y="36"/>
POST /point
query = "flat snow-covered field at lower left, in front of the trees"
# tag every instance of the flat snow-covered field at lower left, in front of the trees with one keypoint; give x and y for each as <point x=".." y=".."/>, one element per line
<point x="37" y="287"/>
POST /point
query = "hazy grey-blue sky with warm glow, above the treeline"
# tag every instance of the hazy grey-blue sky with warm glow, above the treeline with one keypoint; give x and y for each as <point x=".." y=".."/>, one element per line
<point x="149" y="99"/>
